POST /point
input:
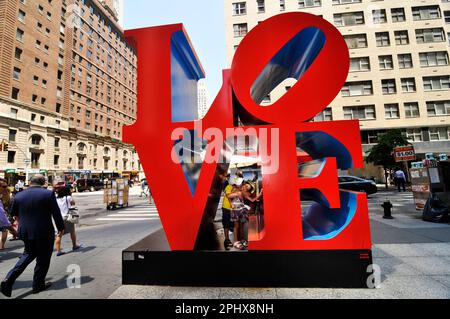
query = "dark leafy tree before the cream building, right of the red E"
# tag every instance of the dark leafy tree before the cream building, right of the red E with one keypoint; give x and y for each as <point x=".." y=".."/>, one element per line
<point x="382" y="153"/>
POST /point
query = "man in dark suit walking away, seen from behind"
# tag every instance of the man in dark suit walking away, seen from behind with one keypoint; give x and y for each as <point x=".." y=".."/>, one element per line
<point x="34" y="209"/>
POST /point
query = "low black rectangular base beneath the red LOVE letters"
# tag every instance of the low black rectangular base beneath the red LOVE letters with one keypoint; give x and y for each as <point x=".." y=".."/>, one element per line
<point x="150" y="262"/>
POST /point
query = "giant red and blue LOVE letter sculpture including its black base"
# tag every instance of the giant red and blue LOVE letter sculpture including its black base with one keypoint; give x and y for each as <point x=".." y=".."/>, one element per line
<point x="328" y="245"/>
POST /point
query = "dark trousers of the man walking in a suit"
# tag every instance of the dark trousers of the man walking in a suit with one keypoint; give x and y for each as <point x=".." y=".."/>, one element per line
<point x="40" y="250"/>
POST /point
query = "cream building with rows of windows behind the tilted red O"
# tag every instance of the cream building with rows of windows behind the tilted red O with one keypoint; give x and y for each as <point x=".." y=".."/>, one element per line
<point x="400" y="67"/>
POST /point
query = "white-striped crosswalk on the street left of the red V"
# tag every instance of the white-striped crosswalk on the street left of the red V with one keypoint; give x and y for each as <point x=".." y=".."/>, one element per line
<point x="140" y="212"/>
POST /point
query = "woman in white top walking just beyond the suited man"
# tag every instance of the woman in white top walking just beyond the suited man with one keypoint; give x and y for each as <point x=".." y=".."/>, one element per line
<point x="65" y="202"/>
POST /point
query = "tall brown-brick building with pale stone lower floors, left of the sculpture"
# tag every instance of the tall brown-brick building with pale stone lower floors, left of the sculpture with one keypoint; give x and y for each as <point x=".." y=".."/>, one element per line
<point x="67" y="86"/>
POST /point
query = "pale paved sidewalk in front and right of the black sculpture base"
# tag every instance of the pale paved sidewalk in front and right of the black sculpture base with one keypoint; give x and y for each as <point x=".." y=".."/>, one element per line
<point x="414" y="257"/>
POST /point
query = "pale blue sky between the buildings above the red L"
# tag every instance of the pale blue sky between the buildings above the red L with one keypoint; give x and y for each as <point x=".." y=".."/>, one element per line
<point x="203" y="20"/>
